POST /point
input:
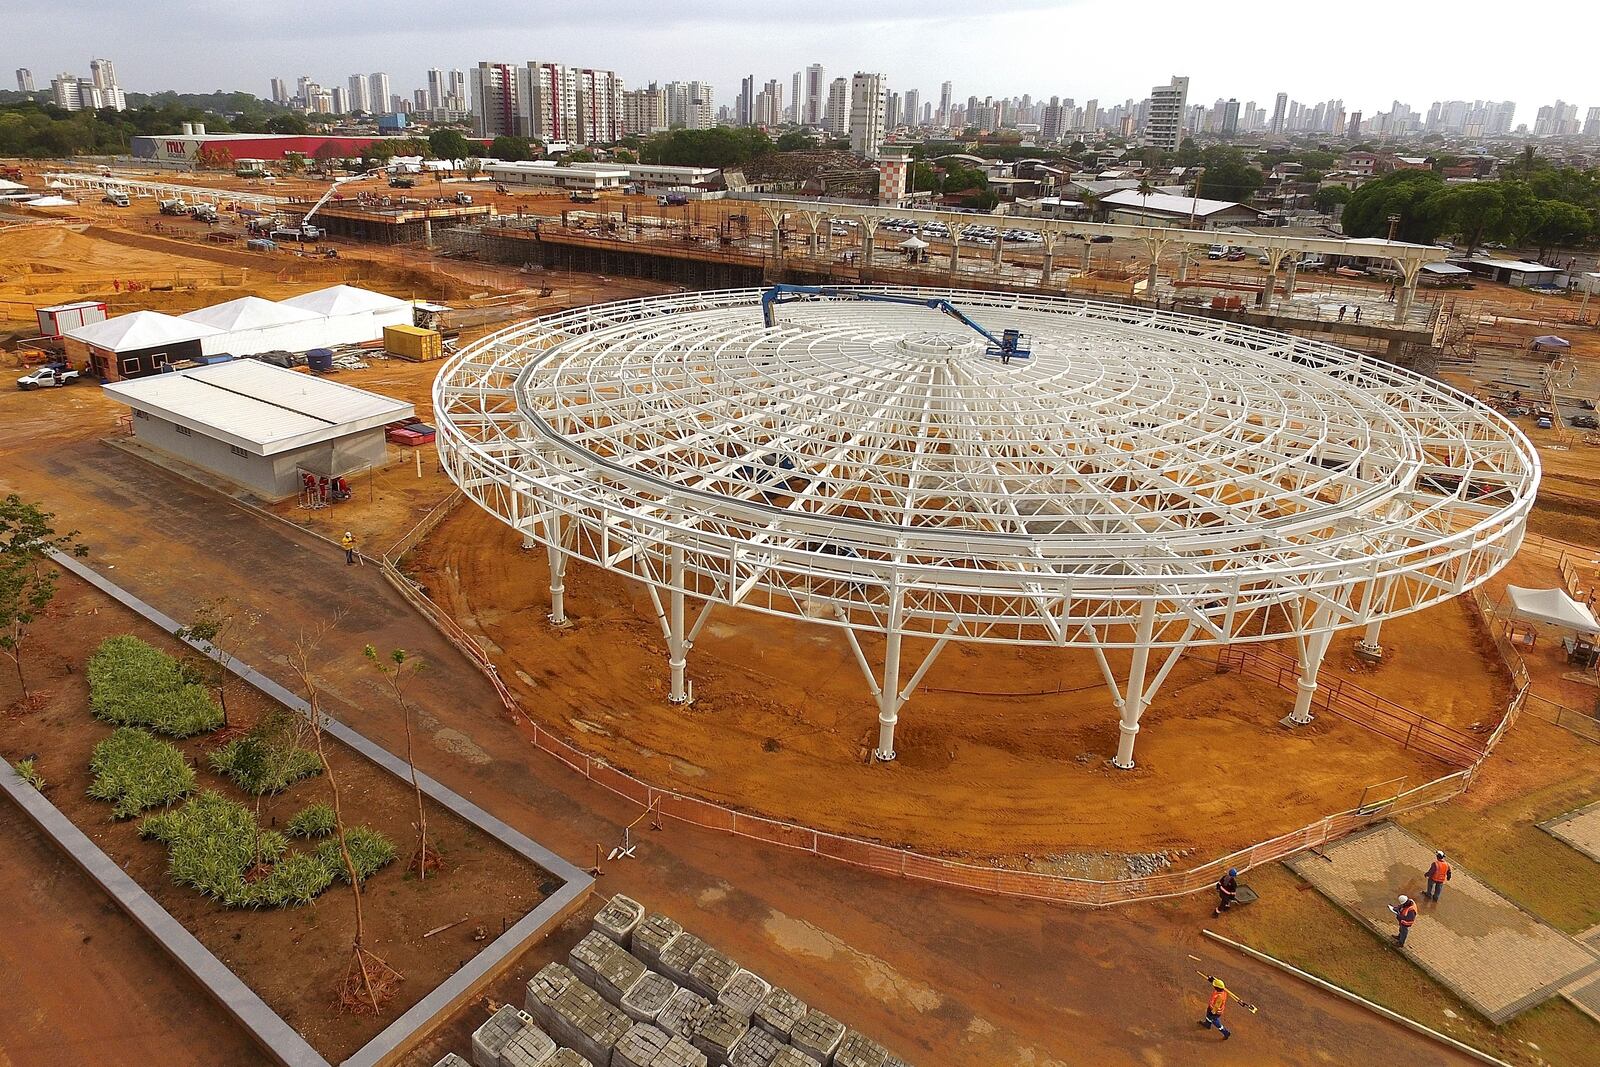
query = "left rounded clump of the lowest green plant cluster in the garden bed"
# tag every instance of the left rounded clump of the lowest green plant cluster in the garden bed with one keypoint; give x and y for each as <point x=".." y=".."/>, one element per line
<point x="212" y="842"/>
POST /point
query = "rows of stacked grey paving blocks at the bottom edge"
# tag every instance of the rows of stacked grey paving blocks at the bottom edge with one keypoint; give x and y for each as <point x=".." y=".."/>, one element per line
<point x="639" y="991"/>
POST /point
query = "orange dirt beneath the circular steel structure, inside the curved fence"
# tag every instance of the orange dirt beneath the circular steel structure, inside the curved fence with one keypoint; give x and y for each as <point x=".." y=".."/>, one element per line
<point x="783" y="724"/>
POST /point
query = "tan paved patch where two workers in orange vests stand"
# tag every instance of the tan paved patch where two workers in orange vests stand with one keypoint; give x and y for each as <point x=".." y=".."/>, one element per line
<point x="1476" y="943"/>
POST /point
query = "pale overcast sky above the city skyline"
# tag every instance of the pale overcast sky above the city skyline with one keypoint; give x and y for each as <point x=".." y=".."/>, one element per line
<point x="1366" y="52"/>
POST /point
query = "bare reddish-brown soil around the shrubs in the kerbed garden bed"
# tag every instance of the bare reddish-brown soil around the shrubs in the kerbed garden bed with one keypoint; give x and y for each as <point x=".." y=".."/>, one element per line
<point x="292" y="957"/>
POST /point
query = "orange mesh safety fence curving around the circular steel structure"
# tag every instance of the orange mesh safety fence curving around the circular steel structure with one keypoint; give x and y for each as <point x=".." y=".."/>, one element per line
<point x="1006" y="882"/>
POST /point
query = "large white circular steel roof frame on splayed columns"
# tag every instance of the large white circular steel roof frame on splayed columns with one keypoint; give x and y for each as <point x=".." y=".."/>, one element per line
<point x="1143" y="482"/>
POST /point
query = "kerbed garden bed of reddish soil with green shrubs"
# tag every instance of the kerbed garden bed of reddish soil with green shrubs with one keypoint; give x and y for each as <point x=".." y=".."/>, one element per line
<point x="233" y="831"/>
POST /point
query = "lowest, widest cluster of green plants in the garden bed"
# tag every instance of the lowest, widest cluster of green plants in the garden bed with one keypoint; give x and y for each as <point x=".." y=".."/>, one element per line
<point x="215" y="845"/>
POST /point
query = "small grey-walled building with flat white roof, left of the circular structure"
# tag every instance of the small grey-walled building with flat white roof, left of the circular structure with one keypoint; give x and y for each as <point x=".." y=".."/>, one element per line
<point x="260" y="426"/>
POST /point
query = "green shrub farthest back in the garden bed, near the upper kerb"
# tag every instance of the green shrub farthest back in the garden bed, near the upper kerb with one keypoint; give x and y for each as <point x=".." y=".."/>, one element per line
<point x="132" y="684"/>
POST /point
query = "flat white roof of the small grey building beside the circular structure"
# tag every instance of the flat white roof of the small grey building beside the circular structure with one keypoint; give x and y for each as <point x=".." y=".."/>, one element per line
<point x="258" y="407"/>
